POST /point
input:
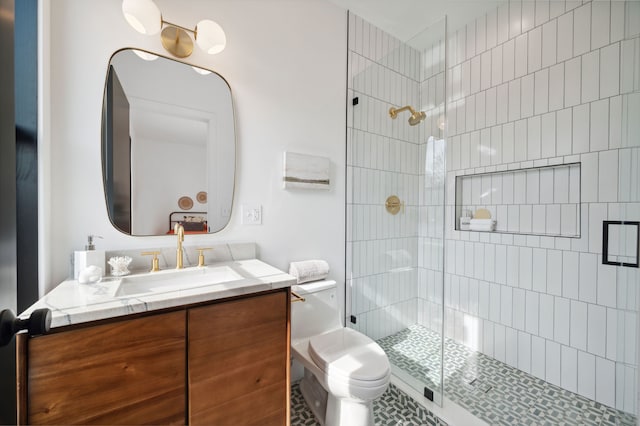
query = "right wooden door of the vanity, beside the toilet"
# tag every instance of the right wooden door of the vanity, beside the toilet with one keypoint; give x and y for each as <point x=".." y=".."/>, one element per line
<point x="239" y="362"/>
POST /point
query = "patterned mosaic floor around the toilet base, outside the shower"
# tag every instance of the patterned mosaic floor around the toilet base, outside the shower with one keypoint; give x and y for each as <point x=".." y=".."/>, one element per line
<point x="394" y="407"/>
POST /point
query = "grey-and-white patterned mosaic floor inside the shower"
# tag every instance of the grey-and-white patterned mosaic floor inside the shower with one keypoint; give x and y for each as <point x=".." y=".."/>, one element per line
<point x="491" y="390"/>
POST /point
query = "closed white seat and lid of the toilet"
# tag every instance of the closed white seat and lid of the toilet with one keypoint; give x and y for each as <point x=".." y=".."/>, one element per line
<point x="350" y="356"/>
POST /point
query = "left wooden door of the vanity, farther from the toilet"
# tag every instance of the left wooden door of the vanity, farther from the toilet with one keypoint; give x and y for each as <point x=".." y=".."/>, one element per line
<point x="128" y="372"/>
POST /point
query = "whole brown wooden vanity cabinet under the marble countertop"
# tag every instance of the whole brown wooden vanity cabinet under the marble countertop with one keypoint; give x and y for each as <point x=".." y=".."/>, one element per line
<point x="217" y="364"/>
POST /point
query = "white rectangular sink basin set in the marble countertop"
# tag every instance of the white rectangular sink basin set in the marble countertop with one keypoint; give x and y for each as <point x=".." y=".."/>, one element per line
<point x="165" y="281"/>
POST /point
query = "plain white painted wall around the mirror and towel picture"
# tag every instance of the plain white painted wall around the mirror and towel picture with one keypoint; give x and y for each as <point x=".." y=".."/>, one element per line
<point x="286" y="64"/>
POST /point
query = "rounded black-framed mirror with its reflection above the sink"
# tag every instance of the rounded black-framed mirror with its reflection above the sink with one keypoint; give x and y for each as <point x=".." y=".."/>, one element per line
<point x="168" y="146"/>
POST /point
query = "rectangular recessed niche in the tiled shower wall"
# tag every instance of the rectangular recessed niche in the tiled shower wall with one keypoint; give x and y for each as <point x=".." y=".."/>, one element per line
<point x="534" y="201"/>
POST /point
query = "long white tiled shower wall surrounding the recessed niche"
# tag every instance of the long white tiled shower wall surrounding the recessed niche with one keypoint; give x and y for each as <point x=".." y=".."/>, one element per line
<point x="533" y="84"/>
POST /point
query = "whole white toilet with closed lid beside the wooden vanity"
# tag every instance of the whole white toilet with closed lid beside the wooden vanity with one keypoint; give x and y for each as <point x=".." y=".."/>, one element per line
<point x="344" y="370"/>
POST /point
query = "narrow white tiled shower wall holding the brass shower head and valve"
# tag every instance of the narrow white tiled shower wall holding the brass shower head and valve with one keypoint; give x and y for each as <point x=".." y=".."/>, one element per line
<point x="382" y="160"/>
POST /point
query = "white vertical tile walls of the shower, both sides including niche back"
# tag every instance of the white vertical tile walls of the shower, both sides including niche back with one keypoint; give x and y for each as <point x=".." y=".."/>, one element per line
<point x="529" y="84"/>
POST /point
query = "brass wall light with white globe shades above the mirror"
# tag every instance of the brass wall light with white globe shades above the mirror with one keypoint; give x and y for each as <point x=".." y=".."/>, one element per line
<point x="145" y="17"/>
